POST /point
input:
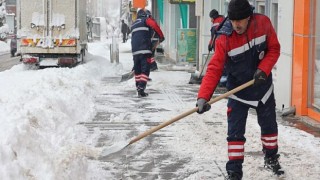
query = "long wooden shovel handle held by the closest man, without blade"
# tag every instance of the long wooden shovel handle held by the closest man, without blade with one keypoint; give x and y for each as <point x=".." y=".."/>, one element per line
<point x="187" y="113"/>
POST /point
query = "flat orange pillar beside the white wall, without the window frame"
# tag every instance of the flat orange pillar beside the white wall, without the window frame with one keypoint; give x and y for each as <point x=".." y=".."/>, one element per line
<point x="301" y="56"/>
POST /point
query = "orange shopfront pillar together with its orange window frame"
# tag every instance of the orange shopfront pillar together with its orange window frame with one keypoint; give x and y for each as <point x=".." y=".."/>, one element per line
<point x="305" y="85"/>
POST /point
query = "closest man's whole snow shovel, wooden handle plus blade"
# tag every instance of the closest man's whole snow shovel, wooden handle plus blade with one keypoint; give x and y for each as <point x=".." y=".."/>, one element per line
<point x="121" y="146"/>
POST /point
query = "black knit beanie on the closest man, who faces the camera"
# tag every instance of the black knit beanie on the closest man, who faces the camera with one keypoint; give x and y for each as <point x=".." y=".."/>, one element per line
<point x="239" y="9"/>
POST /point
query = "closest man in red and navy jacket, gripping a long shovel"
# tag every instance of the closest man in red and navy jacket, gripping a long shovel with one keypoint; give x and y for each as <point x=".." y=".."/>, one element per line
<point x="248" y="48"/>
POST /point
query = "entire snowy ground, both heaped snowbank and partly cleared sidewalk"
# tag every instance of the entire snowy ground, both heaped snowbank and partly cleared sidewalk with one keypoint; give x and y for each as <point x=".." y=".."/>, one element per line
<point x="56" y="121"/>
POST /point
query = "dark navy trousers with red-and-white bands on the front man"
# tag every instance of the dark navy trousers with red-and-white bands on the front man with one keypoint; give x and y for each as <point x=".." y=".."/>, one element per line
<point x="237" y="117"/>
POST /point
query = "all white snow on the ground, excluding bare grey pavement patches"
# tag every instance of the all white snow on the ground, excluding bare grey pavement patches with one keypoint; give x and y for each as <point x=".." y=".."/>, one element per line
<point x="40" y="137"/>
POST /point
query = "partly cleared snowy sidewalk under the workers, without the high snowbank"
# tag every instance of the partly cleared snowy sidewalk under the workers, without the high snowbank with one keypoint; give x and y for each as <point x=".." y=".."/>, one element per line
<point x="192" y="148"/>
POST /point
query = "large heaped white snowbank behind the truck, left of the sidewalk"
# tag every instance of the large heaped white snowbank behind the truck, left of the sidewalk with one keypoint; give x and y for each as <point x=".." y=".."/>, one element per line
<point x="39" y="113"/>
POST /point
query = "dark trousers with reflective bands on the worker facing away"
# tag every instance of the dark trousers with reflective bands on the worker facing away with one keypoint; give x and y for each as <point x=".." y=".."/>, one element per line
<point x="141" y="70"/>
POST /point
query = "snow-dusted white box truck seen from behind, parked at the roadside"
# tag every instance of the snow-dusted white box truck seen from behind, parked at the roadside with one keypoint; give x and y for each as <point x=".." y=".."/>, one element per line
<point x="52" y="33"/>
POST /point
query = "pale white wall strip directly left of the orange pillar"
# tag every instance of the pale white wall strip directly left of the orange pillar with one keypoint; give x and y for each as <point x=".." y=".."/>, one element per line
<point x="283" y="72"/>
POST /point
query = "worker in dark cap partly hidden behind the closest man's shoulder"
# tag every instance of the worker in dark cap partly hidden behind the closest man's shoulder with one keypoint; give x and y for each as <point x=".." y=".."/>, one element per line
<point x="216" y="19"/>
